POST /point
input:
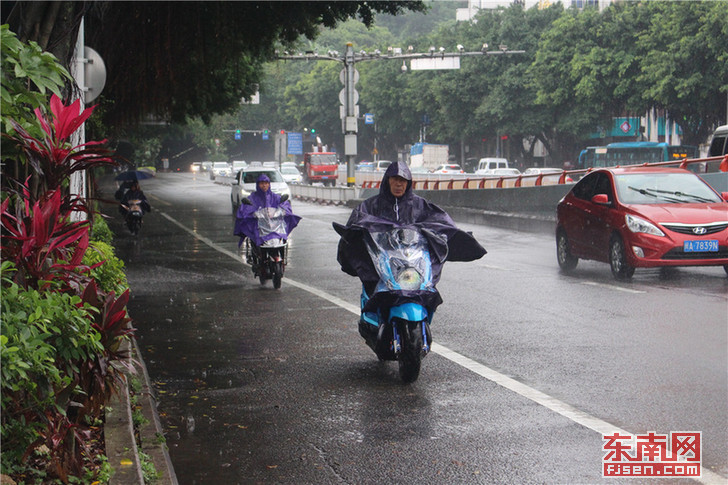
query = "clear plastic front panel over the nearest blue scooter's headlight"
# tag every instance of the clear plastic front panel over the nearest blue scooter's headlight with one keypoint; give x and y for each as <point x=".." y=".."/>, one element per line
<point x="402" y="259"/>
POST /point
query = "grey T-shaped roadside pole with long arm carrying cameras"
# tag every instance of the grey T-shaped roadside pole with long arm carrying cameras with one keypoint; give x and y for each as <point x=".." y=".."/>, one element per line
<point x="349" y="97"/>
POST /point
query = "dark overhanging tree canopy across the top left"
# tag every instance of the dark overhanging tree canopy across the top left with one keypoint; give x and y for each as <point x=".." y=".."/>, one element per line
<point x="188" y="58"/>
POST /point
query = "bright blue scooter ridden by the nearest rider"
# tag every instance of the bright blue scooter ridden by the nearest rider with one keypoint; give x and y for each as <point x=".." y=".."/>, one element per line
<point x="398" y="322"/>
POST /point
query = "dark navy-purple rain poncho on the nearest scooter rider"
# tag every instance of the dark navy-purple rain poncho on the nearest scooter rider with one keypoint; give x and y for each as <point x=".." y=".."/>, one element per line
<point x="384" y="211"/>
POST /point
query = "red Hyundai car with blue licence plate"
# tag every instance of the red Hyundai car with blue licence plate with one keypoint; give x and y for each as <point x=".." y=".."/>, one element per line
<point x="642" y="217"/>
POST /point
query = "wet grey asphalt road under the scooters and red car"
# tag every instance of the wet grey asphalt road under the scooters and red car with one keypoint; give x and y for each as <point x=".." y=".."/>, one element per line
<point x="257" y="385"/>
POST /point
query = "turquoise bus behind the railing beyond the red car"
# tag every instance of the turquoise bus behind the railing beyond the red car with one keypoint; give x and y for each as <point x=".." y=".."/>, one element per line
<point x="634" y="153"/>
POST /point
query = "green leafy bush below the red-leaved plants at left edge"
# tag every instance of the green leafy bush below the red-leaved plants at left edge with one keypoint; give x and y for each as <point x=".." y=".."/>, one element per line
<point x="45" y="336"/>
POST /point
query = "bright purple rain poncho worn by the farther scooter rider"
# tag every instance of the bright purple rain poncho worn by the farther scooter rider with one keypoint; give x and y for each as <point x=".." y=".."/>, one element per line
<point x="246" y="223"/>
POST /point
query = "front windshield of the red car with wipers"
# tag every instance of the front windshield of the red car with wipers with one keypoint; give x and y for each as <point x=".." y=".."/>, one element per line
<point x="663" y="188"/>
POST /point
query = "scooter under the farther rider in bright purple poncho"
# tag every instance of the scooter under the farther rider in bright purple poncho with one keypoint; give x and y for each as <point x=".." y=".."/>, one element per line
<point x="268" y="261"/>
